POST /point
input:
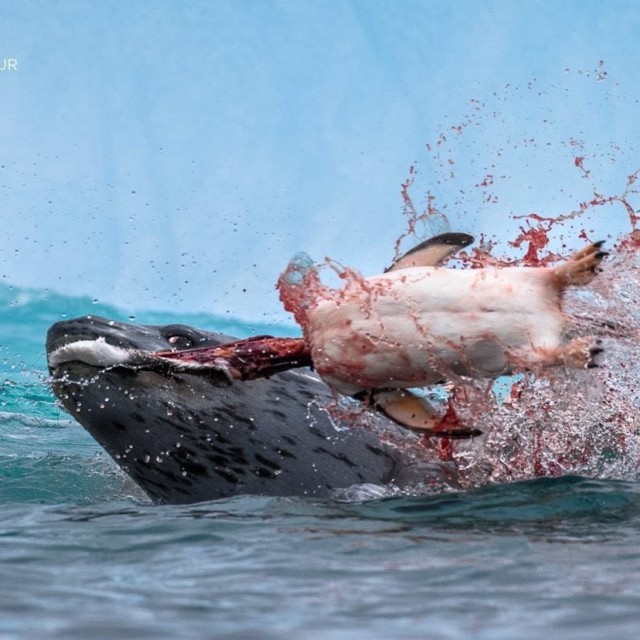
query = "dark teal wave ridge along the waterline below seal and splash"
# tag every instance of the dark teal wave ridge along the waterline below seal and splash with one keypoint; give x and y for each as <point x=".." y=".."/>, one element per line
<point x="576" y="505"/>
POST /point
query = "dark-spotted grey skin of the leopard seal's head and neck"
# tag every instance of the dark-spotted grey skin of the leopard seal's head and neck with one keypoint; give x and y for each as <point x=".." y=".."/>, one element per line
<point x="187" y="438"/>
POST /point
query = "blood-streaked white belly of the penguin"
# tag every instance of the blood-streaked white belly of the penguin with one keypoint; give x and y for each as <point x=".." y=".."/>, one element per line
<point x="421" y="325"/>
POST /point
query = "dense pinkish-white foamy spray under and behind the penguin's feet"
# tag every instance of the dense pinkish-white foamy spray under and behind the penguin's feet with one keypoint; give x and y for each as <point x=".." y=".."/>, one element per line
<point x="566" y="421"/>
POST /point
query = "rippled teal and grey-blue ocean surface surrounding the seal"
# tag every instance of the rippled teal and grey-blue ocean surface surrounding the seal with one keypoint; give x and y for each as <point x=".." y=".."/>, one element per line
<point x="83" y="554"/>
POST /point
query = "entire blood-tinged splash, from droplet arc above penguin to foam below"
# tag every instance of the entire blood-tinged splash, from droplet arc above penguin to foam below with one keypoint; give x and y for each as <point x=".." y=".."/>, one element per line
<point x="555" y="422"/>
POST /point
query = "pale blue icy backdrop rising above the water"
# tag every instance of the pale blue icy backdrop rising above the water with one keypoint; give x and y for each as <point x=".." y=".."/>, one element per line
<point x="174" y="155"/>
